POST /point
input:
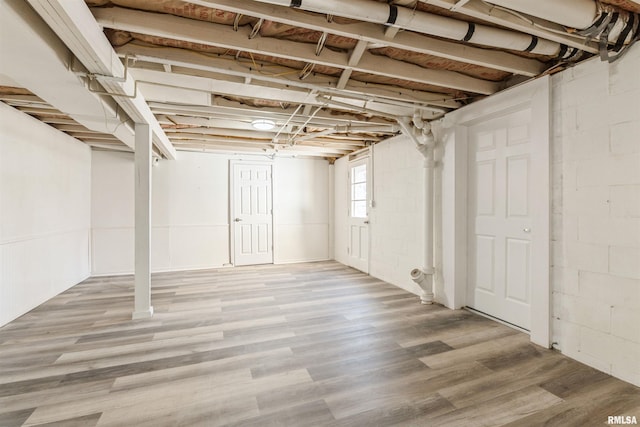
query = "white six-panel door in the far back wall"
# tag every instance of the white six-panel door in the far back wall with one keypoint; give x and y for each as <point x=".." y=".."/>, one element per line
<point x="251" y="214"/>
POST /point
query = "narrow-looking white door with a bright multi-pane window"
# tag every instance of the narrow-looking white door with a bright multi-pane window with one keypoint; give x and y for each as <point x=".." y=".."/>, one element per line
<point x="359" y="215"/>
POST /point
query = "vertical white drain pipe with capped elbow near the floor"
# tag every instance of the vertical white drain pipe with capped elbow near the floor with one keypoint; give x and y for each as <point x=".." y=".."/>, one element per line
<point x="421" y="134"/>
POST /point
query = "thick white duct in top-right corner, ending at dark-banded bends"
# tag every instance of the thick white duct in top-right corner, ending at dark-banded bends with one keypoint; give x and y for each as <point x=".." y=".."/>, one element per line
<point x="615" y="29"/>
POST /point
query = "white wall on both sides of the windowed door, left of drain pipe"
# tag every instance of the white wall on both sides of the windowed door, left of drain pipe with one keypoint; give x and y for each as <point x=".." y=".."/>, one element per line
<point x="396" y="225"/>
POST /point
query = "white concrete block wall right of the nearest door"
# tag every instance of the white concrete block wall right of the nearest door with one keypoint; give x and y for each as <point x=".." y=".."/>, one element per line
<point x="596" y="214"/>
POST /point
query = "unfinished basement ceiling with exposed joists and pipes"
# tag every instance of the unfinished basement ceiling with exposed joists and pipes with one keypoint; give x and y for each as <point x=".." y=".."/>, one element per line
<point x="330" y="83"/>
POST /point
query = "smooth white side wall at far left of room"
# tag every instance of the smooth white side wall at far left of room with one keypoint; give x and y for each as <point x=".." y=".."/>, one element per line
<point x="44" y="212"/>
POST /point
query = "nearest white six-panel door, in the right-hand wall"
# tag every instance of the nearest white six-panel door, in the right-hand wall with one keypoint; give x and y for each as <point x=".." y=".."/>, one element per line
<point x="502" y="170"/>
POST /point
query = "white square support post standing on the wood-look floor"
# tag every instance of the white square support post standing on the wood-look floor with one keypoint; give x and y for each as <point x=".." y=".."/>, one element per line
<point x="142" y="293"/>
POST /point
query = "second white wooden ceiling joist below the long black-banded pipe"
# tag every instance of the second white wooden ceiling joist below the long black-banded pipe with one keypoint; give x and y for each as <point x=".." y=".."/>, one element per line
<point x="189" y="30"/>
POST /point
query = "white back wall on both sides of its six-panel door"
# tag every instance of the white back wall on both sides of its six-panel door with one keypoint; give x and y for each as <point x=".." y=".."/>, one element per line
<point x="191" y="215"/>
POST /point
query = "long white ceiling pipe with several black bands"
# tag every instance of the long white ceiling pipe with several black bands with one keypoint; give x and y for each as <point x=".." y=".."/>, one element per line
<point x="426" y="23"/>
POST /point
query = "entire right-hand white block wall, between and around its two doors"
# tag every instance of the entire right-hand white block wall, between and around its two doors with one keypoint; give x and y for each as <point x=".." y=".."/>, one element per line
<point x="595" y="237"/>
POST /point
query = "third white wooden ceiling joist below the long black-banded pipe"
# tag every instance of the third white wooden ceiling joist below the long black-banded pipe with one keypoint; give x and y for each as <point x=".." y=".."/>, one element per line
<point x="285" y="77"/>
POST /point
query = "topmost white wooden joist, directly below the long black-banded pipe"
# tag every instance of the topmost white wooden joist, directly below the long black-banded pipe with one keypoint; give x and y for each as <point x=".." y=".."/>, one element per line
<point x="373" y="34"/>
